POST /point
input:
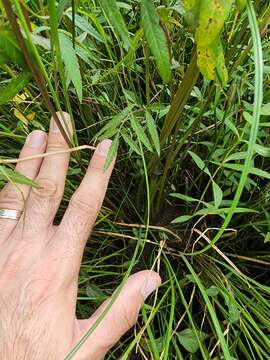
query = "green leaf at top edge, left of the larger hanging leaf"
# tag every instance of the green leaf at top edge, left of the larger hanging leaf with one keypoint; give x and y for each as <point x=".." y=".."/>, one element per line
<point x="113" y="14"/>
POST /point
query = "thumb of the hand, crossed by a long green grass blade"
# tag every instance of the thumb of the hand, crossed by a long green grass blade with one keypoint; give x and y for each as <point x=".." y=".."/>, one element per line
<point x="120" y="318"/>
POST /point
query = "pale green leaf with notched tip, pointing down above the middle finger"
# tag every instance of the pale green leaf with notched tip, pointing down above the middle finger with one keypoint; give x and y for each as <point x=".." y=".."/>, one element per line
<point x="72" y="67"/>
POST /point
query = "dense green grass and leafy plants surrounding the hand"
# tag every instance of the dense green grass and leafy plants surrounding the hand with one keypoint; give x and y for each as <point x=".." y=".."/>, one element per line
<point x="182" y="89"/>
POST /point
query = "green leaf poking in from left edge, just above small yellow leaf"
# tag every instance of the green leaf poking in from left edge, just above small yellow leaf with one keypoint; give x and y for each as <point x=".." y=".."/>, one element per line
<point x="13" y="87"/>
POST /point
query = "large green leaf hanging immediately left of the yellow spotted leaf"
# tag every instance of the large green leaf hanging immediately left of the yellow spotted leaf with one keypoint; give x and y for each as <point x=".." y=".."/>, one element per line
<point x="156" y="39"/>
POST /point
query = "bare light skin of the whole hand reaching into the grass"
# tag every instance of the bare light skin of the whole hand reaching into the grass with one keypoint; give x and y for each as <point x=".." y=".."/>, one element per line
<point x="40" y="262"/>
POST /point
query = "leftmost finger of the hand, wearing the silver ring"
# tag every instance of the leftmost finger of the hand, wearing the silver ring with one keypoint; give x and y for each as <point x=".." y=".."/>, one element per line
<point x="12" y="197"/>
